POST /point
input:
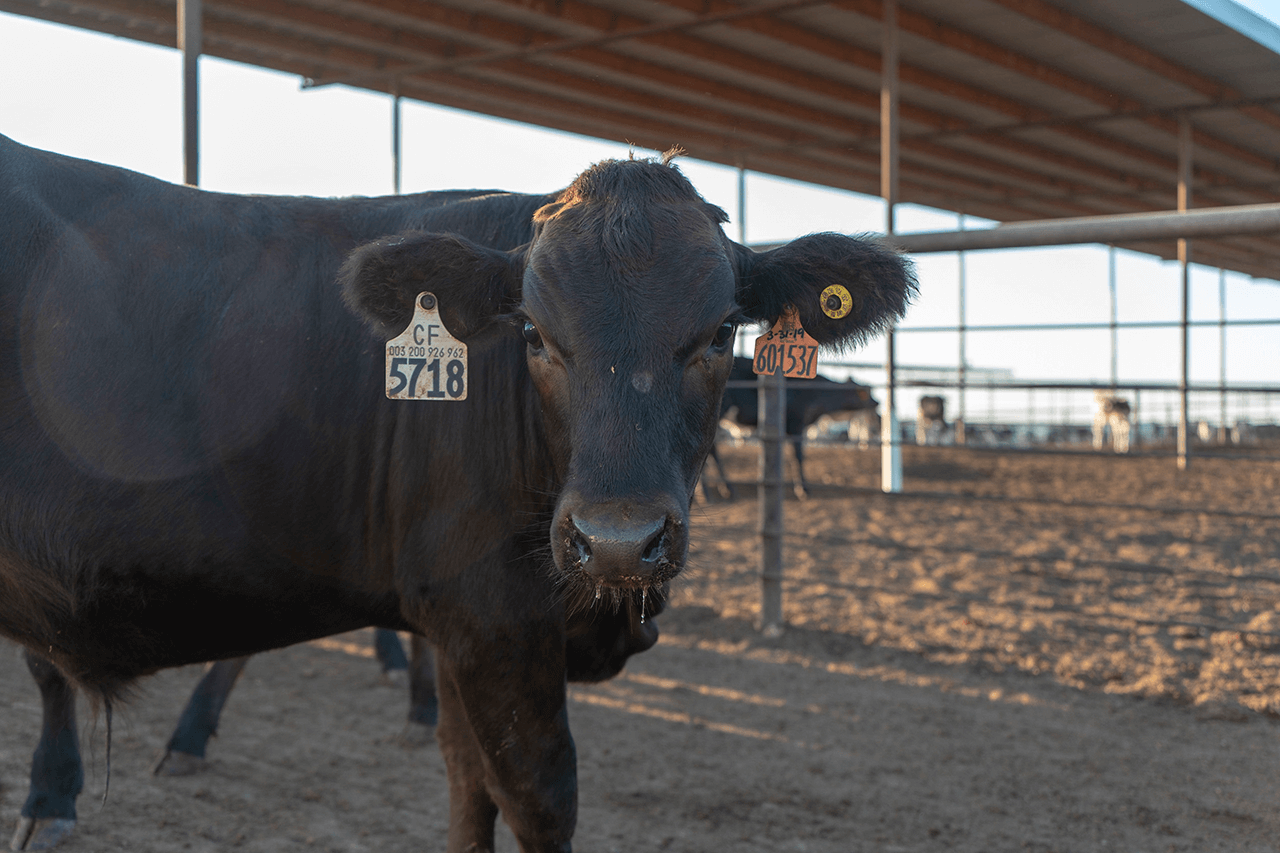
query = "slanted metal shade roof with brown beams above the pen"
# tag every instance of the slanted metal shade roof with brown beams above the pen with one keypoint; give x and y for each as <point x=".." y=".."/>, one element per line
<point x="1011" y="110"/>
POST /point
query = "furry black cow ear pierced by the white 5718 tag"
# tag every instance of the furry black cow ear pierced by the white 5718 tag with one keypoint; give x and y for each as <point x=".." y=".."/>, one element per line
<point x="473" y="284"/>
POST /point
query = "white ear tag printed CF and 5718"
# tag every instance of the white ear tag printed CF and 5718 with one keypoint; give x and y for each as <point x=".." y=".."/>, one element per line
<point x="426" y="362"/>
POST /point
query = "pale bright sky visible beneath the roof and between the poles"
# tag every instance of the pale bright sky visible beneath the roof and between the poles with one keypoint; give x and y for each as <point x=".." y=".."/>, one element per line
<point x="118" y="102"/>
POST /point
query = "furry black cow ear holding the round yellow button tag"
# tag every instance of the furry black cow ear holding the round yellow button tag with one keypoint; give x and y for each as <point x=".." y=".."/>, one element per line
<point x="879" y="281"/>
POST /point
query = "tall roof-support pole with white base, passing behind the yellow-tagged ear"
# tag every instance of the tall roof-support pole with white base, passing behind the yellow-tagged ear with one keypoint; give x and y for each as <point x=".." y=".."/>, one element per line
<point x="892" y="449"/>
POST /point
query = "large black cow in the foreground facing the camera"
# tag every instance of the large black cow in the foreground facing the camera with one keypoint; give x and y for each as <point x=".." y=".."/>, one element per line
<point x="199" y="458"/>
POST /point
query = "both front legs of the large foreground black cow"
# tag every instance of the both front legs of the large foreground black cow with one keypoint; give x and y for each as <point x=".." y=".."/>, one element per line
<point x="505" y="737"/>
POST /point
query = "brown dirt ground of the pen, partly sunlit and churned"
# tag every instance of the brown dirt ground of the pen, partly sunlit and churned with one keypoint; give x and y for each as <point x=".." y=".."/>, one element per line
<point x="1020" y="654"/>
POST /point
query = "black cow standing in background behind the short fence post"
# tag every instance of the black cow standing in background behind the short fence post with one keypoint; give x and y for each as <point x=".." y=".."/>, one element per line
<point x="807" y="402"/>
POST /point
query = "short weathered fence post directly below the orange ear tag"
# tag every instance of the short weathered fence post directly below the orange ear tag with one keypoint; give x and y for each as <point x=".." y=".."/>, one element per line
<point x="772" y="404"/>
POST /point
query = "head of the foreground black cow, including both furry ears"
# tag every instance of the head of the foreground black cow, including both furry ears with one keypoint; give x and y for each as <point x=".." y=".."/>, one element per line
<point x="628" y="299"/>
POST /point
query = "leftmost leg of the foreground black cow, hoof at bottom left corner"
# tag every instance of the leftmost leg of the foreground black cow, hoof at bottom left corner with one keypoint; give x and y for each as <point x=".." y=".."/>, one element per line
<point x="57" y="774"/>
